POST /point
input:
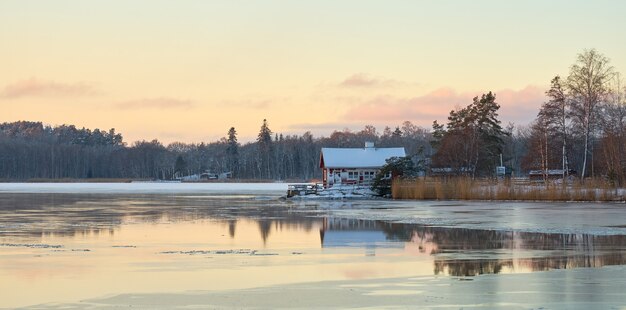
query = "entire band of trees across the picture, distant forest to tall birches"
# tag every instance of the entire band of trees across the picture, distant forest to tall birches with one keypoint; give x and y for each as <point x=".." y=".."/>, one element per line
<point x="581" y="127"/>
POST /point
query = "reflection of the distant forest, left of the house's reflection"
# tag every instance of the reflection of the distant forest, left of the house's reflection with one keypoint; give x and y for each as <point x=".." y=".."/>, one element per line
<point x="67" y="215"/>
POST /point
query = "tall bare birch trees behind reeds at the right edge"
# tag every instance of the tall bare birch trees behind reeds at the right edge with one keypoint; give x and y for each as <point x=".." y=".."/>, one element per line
<point x="582" y="125"/>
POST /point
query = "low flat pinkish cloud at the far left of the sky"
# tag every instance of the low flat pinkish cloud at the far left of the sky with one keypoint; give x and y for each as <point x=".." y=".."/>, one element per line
<point x="34" y="87"/>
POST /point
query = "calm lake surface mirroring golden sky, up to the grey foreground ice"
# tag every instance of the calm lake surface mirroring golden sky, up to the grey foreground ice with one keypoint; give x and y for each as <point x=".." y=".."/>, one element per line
<point x="71" y="245"/>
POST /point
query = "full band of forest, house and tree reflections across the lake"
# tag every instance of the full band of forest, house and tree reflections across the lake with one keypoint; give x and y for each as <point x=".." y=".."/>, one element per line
<point x="455" y="251"/>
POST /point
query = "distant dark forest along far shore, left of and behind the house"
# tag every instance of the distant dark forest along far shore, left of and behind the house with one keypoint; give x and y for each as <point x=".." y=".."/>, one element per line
<point x="32" y="150"/>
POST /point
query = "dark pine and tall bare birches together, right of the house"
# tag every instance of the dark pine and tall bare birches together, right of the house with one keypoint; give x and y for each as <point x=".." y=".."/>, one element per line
<point x="580" y="129"/>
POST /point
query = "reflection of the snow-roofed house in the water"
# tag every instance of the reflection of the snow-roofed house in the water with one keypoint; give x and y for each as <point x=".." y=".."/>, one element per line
<point x="337" y="232"/>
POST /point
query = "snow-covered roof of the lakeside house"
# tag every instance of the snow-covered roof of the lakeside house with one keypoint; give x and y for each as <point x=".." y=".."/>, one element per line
<point x="368" y="157"/>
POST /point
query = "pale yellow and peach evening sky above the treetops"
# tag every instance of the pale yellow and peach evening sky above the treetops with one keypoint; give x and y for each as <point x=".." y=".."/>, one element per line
<point x="189" y="70"/>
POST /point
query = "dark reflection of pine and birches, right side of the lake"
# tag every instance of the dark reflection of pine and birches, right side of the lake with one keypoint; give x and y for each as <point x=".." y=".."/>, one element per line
<point x="471" y="252"/>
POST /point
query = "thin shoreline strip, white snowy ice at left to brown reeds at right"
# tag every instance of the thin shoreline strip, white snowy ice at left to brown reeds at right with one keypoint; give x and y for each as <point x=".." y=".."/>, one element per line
<point x="521" y="194"/>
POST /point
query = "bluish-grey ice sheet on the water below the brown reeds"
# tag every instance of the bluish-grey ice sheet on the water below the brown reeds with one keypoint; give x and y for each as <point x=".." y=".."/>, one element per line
<point x="579" y="218"/>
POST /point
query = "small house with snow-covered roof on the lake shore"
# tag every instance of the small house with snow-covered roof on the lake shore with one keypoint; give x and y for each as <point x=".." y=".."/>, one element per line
<point x="354" y="166"/>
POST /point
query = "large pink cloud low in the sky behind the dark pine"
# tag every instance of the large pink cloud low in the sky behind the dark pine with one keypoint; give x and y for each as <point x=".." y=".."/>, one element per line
<point x="519" y="106"/>
